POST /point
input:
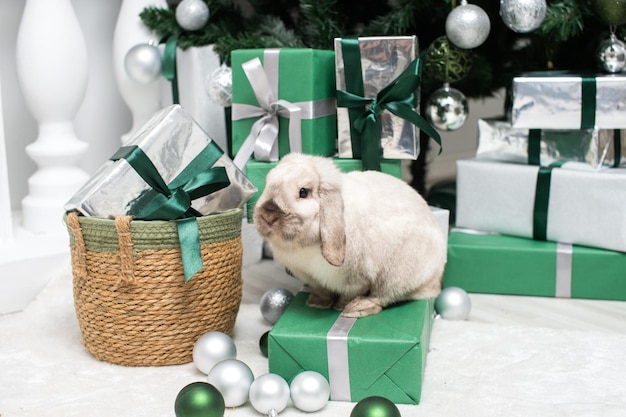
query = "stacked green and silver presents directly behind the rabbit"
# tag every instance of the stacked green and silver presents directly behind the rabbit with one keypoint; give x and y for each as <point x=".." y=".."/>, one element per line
<point x="306" y="100"/>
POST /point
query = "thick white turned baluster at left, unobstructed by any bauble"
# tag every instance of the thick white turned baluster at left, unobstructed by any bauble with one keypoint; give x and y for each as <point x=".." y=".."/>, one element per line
<point x="51" y="59"/>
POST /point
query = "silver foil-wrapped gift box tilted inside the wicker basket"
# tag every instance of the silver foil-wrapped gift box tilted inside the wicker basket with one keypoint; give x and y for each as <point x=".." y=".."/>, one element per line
<point x="171" y="139"/>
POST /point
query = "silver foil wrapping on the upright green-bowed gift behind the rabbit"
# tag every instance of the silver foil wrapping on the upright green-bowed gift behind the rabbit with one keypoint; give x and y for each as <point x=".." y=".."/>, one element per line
<point x="382" y="60"/>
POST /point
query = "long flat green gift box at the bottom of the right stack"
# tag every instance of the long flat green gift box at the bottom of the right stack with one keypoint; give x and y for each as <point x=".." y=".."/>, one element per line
<point x="499" y="264"/>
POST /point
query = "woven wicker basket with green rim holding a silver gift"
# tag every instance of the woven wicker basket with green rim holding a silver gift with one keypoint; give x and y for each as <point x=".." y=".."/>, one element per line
<point x="132" y="303"/>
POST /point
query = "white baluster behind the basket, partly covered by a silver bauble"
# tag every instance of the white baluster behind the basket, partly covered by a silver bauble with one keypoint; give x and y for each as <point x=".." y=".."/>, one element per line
<point x="143" y="100"/>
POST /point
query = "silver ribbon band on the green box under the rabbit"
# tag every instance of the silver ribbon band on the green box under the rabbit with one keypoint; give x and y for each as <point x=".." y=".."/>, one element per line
<point x="338" y="364"/>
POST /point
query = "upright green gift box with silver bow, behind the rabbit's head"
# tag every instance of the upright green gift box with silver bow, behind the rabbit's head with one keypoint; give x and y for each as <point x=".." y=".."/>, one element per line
<point x="269" y="86"/>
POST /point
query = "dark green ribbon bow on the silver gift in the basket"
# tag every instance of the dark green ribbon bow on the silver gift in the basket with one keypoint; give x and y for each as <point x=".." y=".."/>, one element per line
<point x="173" y="201"/>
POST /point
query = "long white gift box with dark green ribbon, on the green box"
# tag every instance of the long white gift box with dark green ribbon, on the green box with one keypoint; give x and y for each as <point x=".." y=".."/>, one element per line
<point x="567" y="202"/>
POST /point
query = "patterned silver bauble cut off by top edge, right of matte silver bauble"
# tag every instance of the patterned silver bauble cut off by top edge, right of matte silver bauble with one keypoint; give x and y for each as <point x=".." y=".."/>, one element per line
<point x="523" y="16"/>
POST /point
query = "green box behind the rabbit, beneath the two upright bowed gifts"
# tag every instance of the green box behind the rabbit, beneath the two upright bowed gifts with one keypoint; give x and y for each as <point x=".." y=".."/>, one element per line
<point x="256" y="172"/>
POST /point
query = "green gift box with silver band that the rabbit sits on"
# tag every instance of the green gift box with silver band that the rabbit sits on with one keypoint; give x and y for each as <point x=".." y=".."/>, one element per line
<point x="380" y="355"/>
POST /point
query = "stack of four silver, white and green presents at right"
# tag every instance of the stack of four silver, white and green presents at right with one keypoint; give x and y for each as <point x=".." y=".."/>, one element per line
<point x="540" y="206"/>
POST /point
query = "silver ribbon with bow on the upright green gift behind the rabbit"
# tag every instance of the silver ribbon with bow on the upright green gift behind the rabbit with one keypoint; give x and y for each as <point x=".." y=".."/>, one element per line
<point x="263" y="138"/>
